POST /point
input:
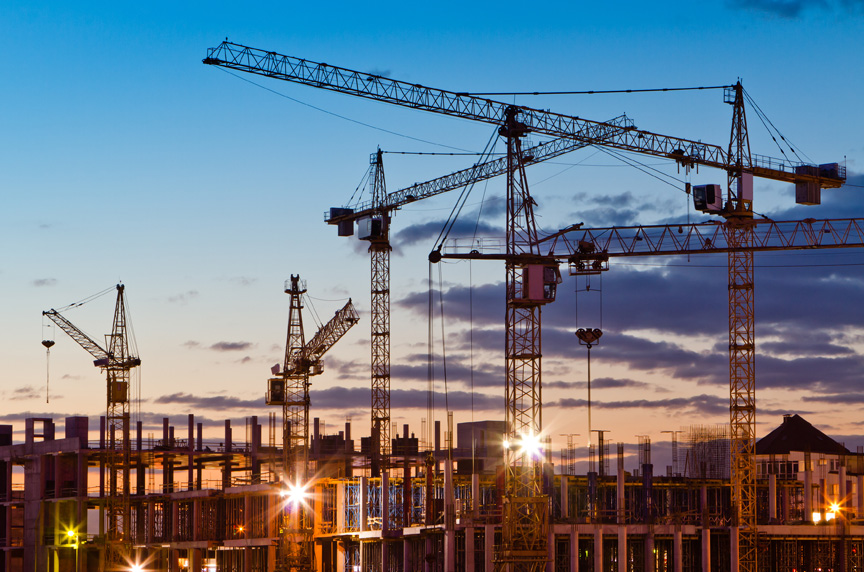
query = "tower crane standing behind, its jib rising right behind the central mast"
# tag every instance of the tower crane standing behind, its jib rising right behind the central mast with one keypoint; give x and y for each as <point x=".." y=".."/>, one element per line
<point x="374" y="219"/>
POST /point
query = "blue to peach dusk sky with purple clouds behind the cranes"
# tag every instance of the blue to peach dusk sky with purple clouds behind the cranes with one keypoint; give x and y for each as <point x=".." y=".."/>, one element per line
<point x="125" y="159"/>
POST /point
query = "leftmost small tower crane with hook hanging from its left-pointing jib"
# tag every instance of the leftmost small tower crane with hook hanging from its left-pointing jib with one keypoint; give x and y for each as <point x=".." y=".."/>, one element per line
<point x="116" y="361"/>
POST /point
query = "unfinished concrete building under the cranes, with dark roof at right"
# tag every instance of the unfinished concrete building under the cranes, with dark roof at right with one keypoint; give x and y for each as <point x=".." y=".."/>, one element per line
<point x="207" y="505"/>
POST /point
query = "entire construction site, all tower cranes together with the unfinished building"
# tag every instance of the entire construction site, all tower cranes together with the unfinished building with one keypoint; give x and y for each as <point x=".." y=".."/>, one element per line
<point x="280" y="494"/>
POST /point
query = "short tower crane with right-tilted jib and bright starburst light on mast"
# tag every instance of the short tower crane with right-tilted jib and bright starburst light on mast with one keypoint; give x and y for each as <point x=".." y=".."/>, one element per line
<point x="290" y="389"/>
